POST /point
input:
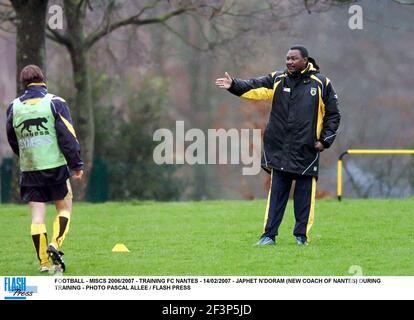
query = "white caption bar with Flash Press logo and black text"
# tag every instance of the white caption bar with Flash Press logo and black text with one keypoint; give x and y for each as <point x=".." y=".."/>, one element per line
<point x="205" y="288"/>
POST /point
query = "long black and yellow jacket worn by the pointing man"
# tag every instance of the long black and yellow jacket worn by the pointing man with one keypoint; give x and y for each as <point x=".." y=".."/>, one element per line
<point x="304" y="111"/>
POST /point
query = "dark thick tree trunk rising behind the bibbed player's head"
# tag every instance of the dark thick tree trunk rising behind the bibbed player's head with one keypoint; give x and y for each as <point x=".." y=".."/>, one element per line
<point x="31" y="36"/>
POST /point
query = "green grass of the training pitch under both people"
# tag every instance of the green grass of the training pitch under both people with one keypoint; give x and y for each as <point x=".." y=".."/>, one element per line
<point x="216" y="237"/>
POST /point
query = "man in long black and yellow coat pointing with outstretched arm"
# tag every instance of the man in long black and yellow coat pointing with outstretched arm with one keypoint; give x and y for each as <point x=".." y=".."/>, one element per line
<point x="303" y="122"/>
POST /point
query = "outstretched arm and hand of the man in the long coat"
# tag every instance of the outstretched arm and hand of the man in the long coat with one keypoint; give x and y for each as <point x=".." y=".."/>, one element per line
<point x="254" y="89"/>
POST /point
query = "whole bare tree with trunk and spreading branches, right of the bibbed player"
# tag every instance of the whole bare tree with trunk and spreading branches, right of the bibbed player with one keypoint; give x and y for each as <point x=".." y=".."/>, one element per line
<point x="79" y="43"/>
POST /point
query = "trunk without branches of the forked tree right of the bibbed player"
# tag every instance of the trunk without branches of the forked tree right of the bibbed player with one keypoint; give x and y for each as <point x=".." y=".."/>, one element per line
<point x="82" y="114"/>
